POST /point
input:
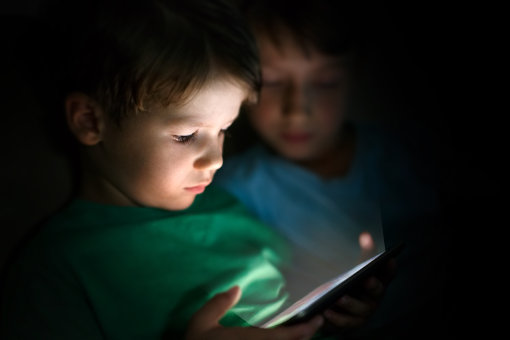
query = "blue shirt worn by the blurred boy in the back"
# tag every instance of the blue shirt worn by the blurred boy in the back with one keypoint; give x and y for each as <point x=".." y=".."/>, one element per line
<point x="385" y="189"/>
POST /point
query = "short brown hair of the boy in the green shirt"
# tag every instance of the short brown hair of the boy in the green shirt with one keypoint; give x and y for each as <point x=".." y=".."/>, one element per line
<point x="131" y="55"/>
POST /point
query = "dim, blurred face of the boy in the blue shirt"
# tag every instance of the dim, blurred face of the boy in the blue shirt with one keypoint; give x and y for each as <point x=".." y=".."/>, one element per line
<point x="301" y="105"/>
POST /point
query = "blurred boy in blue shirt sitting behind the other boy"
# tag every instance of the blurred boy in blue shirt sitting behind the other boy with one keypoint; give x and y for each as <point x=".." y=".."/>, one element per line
<point x="323" y="181"/>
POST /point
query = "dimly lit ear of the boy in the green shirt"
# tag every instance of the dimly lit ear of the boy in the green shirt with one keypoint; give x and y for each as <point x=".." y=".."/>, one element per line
<point x="84" y="118"/>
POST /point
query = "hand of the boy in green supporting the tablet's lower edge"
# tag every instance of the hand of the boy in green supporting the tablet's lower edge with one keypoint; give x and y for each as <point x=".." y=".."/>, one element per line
<point x="204" y="324"/>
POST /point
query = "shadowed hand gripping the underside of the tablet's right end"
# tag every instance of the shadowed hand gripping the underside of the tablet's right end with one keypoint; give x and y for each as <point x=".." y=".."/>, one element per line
<point x="353" y="312"/>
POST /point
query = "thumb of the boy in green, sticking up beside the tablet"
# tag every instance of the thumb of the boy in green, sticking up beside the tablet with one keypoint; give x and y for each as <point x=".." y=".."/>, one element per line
<point x="210" y="314"/>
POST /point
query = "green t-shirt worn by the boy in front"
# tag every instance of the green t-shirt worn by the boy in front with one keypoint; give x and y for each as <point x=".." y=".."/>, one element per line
<point x="101" y="271"/>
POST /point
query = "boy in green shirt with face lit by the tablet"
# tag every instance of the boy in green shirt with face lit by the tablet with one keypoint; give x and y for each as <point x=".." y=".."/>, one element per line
<point x="150" y="88"/>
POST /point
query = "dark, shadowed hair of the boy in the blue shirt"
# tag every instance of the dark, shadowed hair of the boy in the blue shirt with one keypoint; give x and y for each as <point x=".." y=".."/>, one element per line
<point x="326" y="25"/>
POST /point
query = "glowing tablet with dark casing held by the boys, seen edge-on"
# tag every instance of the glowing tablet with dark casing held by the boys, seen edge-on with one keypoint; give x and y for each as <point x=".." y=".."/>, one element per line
<point x="324" y="296"/>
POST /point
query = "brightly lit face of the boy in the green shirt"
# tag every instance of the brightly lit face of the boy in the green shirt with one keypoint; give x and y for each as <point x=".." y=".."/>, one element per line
<point x="165" y="157"/>
